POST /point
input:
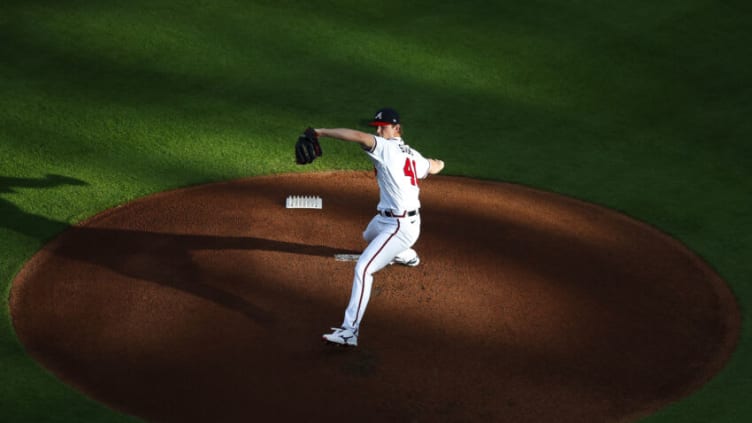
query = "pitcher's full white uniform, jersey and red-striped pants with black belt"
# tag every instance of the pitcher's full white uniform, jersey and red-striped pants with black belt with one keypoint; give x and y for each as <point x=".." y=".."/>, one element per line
<point x="396" y="227"/>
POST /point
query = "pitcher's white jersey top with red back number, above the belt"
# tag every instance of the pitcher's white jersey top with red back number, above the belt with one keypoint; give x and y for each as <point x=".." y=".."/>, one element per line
<point x="398" y="169"/>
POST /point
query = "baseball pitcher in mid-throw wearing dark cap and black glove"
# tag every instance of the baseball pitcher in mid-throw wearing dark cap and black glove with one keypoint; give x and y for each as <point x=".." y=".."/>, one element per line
<point x="396" y="226"/>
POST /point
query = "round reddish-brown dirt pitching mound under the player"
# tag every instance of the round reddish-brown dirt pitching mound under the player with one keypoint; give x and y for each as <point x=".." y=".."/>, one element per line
<point x="208" y="304"/>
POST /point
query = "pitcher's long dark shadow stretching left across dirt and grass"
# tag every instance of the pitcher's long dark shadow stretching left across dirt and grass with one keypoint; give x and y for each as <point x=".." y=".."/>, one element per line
<point x="161" y="258"/>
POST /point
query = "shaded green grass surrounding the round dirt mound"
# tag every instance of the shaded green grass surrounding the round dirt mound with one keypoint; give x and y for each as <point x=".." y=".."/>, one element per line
<point x="642" y="107"/>
